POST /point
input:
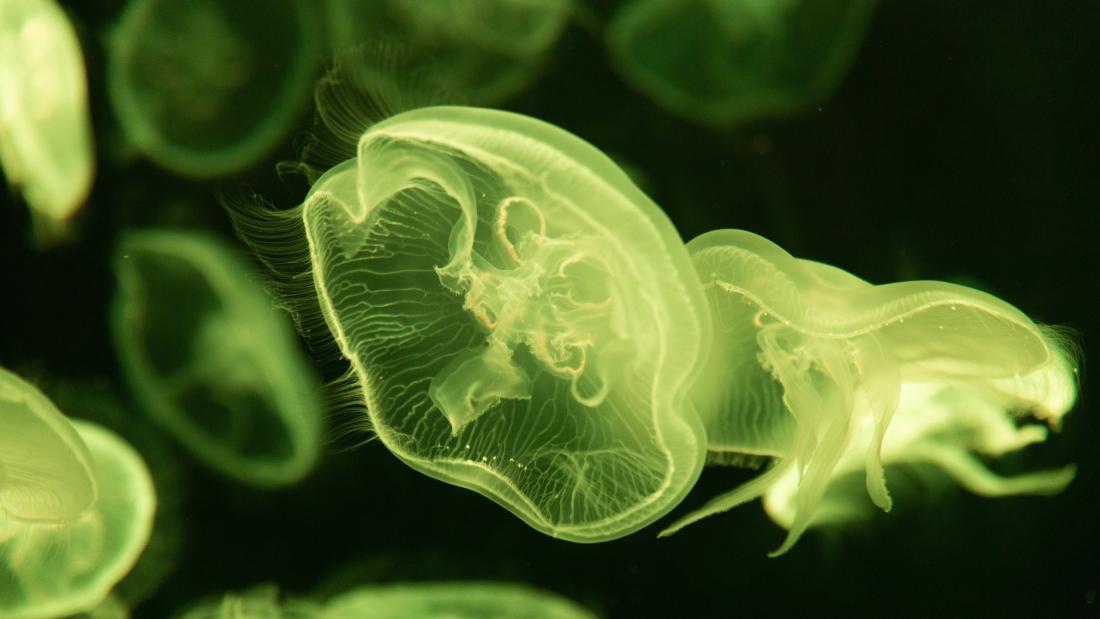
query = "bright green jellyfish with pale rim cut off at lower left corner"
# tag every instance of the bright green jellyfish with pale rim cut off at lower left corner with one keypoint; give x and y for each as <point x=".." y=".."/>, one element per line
<point x="76" y="507"/>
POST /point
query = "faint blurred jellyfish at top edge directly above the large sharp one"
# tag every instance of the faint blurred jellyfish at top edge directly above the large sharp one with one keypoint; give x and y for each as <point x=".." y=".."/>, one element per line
<point x="487" y="50"/>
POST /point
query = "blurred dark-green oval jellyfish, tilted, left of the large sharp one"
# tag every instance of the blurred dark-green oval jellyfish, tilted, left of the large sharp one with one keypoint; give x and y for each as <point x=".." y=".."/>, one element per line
<point x="212" y="360"/>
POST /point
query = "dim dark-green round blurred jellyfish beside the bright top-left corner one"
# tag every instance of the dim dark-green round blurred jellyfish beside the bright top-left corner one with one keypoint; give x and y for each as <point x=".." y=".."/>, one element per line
<point x="204" y="89"/>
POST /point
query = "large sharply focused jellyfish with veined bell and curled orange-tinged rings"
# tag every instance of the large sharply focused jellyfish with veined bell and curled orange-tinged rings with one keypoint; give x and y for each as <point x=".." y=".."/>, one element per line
<point x="522" y="319"/>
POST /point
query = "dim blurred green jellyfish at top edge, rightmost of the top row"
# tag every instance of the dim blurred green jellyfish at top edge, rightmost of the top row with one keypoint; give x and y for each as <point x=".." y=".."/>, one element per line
<point x="733" y="62"/>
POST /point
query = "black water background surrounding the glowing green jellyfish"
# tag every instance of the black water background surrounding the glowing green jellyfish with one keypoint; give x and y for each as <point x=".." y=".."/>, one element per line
<point x="964" y="145"/>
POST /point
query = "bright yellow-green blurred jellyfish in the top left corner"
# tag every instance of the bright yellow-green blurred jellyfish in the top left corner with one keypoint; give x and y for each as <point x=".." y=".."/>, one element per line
<point x="46" y="134"/>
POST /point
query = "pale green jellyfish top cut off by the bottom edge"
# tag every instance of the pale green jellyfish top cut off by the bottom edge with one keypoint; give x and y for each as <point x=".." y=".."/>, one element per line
<point x="455" y="601"/>
